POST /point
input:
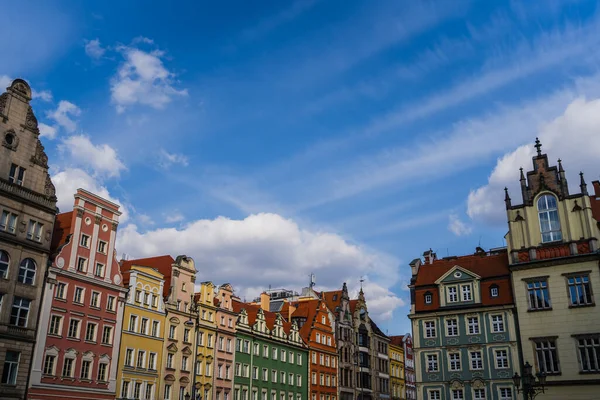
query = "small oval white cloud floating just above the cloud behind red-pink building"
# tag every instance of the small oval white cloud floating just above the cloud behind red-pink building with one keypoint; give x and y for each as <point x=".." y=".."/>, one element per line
<point x="102" y="159"/>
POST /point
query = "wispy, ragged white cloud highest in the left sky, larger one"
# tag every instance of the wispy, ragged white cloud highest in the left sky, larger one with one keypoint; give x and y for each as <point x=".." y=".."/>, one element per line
<point x="143" y="79"/>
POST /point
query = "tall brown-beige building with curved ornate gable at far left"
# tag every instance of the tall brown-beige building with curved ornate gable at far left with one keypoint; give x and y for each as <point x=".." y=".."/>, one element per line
<point x="27" y="213"/>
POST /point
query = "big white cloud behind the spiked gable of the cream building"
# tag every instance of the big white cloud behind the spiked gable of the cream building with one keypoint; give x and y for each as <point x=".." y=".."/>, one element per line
<point x="573" y="137"/>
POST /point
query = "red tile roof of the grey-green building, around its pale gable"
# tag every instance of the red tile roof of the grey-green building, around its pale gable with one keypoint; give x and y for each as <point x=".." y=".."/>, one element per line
<point x="483" y="265"/>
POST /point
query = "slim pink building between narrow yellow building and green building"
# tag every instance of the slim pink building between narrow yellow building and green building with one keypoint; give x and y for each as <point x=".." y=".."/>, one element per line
<point x="225" y="344"/>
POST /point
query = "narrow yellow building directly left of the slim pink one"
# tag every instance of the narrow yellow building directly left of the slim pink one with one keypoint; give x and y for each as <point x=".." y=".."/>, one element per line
<point x="205" y="342"/>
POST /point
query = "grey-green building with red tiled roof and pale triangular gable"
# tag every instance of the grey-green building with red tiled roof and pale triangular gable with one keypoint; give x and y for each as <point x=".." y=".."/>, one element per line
<point x="463" y="319"/>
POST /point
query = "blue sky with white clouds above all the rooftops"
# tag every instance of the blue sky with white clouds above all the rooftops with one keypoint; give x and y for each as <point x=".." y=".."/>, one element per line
<point x="269" y="140"/>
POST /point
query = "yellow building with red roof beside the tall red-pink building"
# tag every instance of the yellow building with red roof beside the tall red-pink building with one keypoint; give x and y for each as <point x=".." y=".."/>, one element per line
<point x="138" y="374"/>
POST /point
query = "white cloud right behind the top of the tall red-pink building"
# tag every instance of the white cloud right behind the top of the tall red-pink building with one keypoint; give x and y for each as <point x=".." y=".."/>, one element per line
<point x="68" y="180"/>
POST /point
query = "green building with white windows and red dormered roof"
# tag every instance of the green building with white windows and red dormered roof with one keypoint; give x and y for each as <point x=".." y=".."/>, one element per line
<point x="270" y="356"/>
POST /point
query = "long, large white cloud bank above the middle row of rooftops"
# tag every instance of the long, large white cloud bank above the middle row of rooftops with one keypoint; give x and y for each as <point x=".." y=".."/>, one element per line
<point x="267" y="249"/>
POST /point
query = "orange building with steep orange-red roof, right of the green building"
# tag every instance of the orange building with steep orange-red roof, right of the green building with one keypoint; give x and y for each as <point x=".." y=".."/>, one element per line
<point x="316" y="325"/>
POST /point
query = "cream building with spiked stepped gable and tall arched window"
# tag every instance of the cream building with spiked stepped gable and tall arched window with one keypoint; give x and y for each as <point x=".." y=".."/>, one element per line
<point x="553" y="253"/>
